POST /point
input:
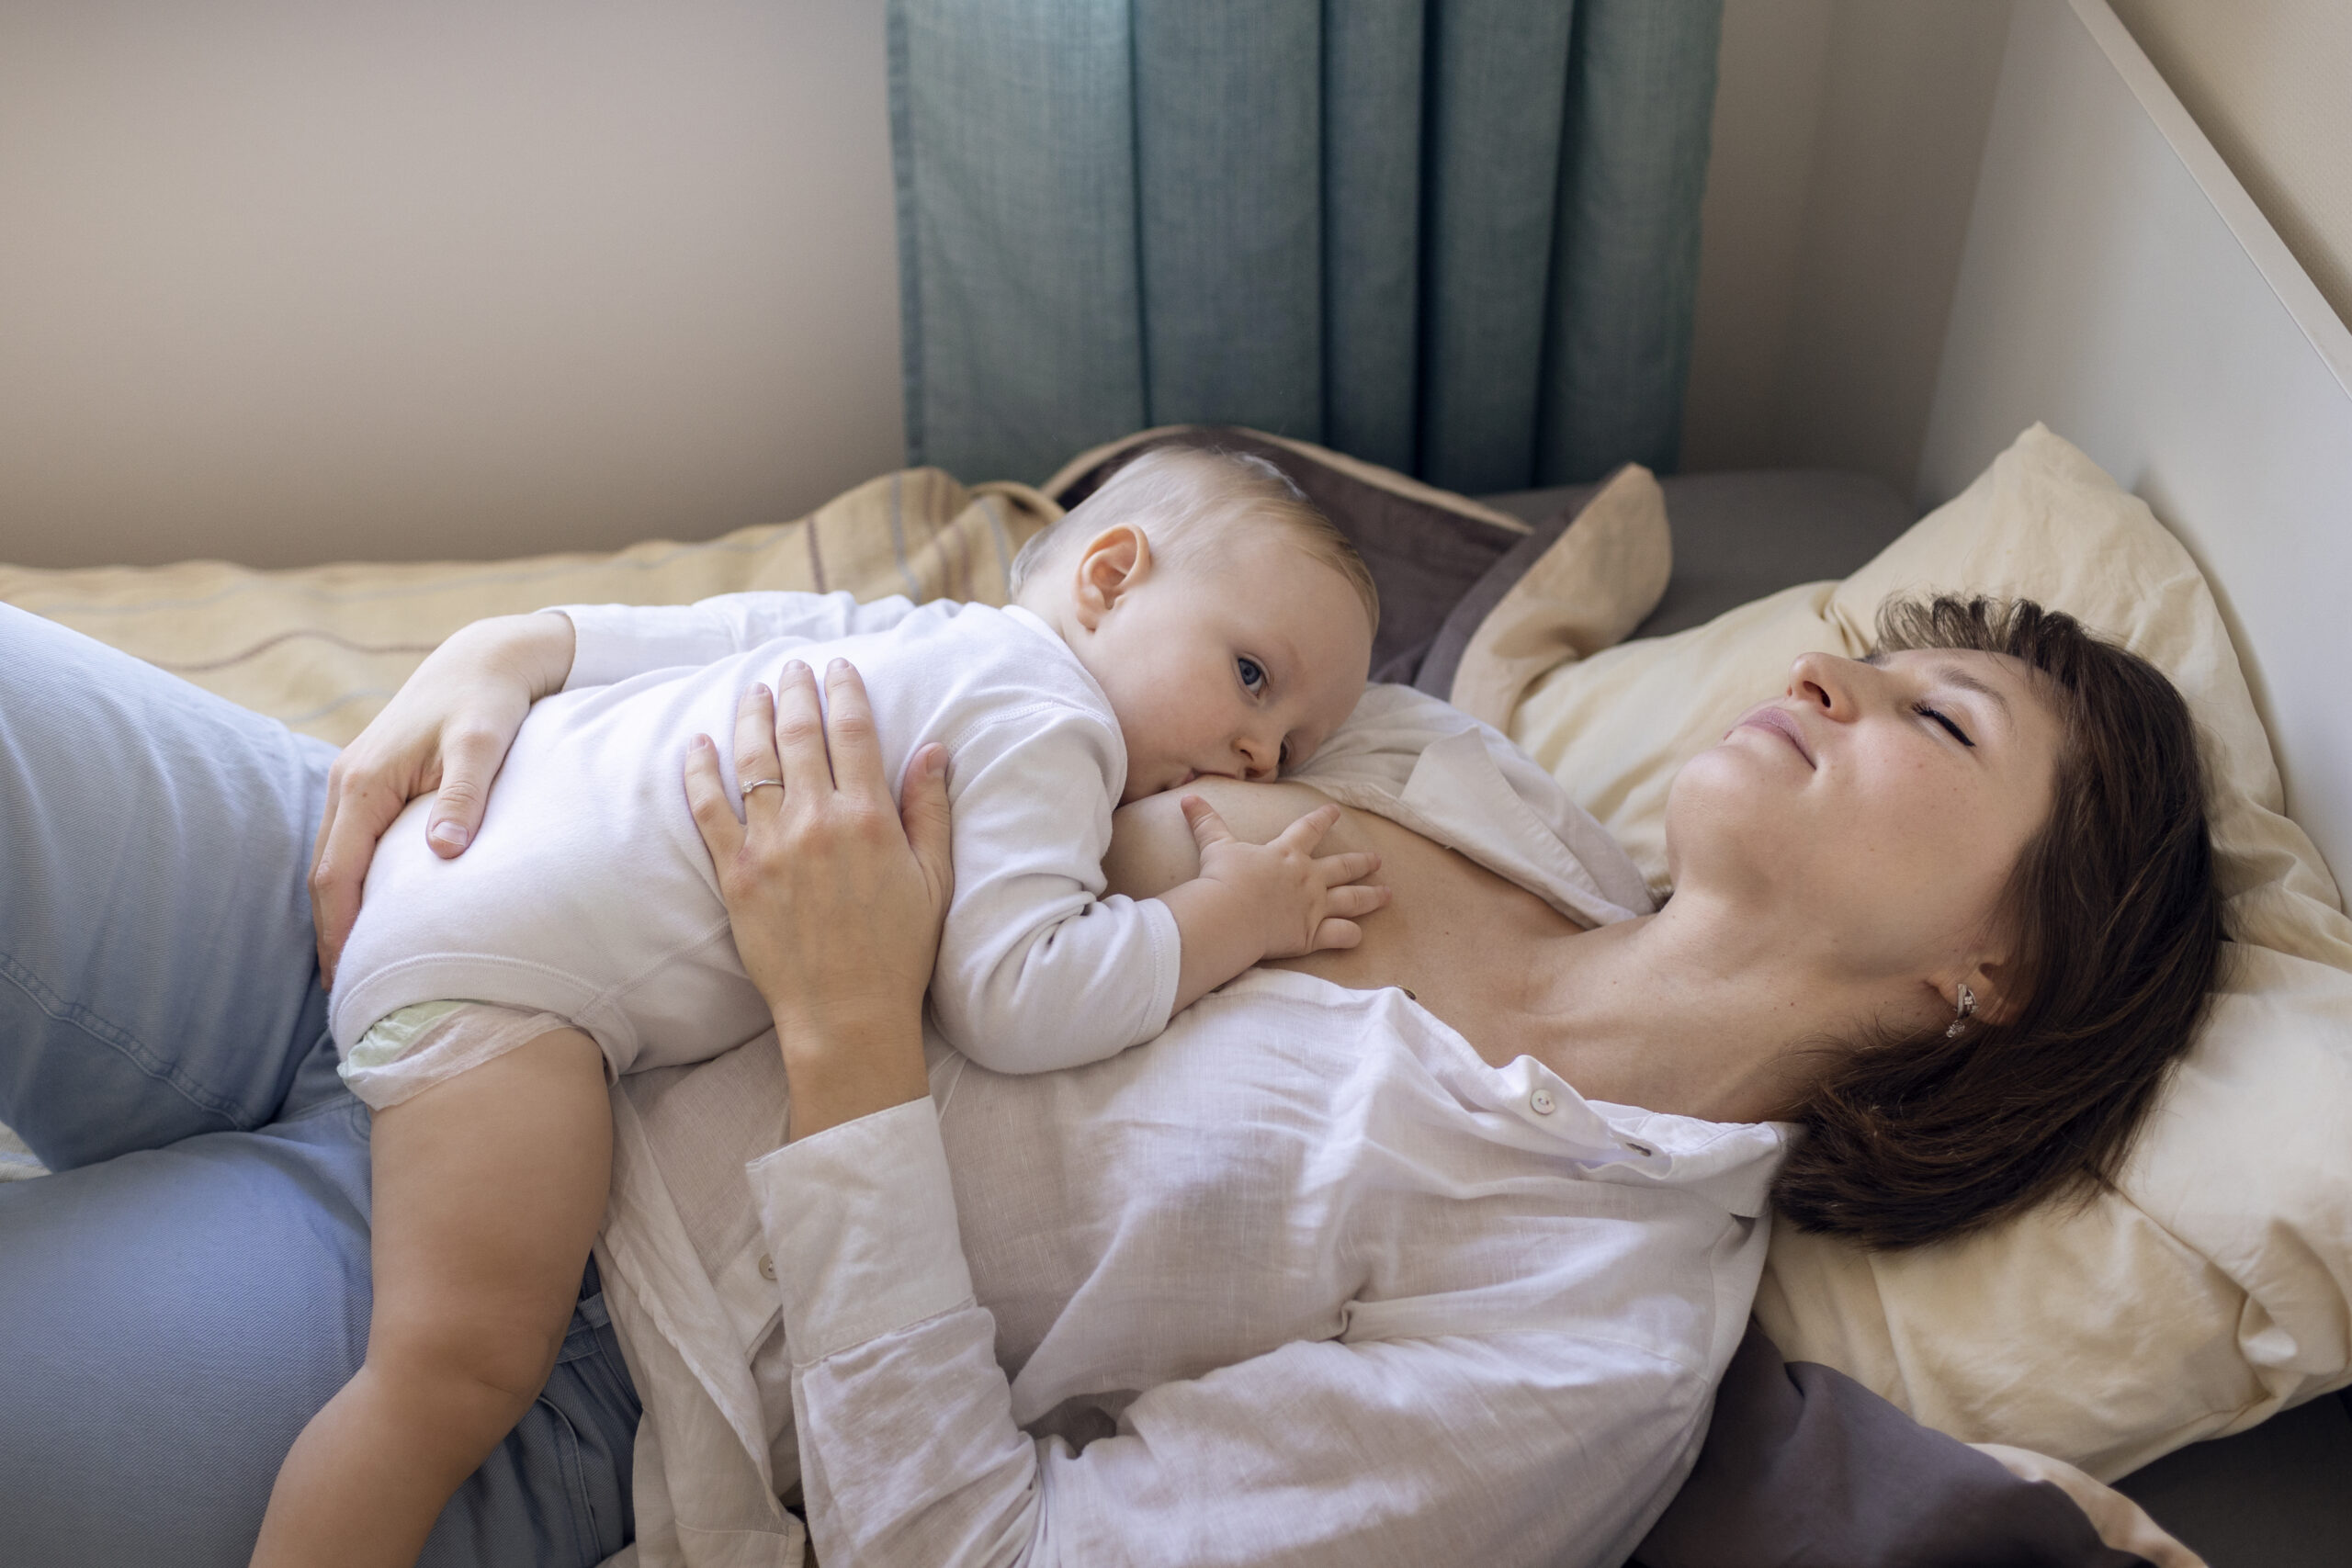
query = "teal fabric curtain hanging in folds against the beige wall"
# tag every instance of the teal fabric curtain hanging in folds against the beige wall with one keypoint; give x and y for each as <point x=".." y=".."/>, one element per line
<point x="1450" y="236"/>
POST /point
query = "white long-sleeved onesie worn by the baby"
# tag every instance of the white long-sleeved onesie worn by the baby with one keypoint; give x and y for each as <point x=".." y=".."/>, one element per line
<point x="589" y="894"/>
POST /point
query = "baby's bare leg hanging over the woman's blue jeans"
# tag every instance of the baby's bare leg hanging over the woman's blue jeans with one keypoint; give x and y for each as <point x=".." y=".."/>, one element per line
<point x="488" y="1193"/>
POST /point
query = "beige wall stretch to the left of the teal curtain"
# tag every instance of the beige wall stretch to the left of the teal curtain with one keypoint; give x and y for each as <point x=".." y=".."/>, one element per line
<point x="403" y="279"/>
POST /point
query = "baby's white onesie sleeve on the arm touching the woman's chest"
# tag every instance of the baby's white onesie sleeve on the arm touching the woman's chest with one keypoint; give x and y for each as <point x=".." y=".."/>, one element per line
<point x="1038" y="967"/>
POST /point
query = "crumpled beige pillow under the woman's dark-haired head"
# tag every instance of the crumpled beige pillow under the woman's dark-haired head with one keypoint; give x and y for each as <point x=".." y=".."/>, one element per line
<point x="2212" y="1287"/>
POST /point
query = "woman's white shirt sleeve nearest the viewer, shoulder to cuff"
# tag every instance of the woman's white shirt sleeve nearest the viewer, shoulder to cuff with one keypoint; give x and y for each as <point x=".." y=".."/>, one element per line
<point x="1492" y="1449"/>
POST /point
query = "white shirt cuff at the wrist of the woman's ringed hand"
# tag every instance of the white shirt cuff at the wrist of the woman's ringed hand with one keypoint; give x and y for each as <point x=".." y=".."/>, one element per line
<point x="862" y="1226"/>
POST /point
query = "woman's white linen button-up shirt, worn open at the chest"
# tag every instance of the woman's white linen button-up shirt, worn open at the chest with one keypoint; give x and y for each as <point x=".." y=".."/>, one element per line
<point x="1299" y="1282"/>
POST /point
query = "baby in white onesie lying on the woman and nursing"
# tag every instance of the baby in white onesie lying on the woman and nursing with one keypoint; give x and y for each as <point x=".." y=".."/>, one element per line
<point x="1196" y="617"/>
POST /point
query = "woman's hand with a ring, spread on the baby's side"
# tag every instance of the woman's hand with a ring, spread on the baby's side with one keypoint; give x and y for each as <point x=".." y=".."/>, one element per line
<point x="836" y="897"/>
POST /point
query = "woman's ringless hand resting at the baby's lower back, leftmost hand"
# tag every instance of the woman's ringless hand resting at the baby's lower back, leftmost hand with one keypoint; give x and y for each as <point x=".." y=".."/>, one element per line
<point x="446" y="730"/>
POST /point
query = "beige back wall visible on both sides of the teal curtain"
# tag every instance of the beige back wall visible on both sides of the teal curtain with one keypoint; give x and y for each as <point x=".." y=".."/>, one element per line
<point x="413" y="279"/>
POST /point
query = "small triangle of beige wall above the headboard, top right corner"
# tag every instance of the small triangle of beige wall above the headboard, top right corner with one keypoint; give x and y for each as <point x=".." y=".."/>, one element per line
<point x="2271" y="83"/>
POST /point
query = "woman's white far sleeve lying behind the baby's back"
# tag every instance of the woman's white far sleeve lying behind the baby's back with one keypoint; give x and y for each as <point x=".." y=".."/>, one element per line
<point x="615" y="643"/>
